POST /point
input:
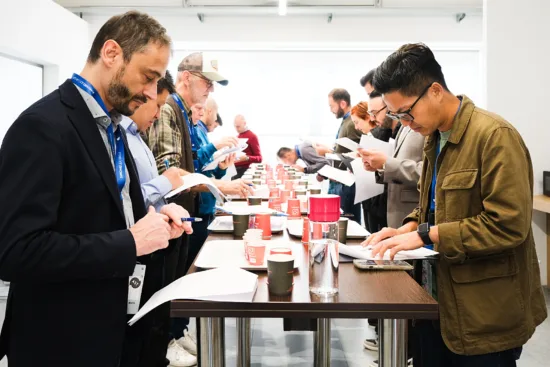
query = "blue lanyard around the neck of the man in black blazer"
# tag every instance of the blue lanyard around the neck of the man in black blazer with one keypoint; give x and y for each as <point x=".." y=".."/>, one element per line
<point x="117" y="149"/>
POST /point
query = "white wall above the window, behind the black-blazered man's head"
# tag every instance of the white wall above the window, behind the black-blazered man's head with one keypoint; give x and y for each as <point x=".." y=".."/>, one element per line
<point x="44" y="33"/>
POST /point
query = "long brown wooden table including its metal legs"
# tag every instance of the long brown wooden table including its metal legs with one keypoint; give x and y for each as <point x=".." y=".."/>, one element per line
<point x="390" y="295"/>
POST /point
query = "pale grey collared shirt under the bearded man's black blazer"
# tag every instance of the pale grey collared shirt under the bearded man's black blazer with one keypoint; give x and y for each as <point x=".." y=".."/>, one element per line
<point x="103" y="121"/>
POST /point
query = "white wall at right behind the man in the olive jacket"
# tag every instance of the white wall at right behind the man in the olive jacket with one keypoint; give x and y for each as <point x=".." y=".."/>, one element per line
<point x="515" y="35"/>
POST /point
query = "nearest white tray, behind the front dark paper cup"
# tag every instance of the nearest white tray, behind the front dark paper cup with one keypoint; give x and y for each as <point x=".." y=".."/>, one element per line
<point x="219" y="253"/>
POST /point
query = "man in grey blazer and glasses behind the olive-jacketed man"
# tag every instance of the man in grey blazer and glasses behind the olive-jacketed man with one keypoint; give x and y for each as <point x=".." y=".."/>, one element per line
<point x="400" y="171"/>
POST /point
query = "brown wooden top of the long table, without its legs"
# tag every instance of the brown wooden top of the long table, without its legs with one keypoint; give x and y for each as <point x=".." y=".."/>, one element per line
<point x="362" y="294"/>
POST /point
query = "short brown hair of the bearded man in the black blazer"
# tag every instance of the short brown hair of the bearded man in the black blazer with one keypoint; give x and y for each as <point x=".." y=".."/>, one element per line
<point x="133" y="31"/>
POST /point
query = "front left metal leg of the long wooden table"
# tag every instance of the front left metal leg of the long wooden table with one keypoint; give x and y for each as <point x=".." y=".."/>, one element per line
<point x="212" y="339"/>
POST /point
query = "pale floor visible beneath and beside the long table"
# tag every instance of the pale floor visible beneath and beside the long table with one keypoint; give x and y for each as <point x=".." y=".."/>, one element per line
<point x="273" y="347"/>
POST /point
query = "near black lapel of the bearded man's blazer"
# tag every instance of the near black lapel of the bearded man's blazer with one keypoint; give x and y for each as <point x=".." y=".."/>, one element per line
<point x="86" y="126"/>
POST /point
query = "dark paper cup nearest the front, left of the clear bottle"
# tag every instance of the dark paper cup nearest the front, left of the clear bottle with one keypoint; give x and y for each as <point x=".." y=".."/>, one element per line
<point x="280" y="274"/>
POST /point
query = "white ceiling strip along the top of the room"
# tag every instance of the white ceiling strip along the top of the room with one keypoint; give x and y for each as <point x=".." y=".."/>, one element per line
<point x="295" y="7"/>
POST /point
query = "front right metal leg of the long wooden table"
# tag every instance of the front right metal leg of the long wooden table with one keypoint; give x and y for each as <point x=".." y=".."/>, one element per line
<point x="392" y="348"/>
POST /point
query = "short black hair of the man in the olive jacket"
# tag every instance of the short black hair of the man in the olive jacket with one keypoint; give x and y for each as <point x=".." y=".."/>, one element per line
<point x="408" y="70"/>
